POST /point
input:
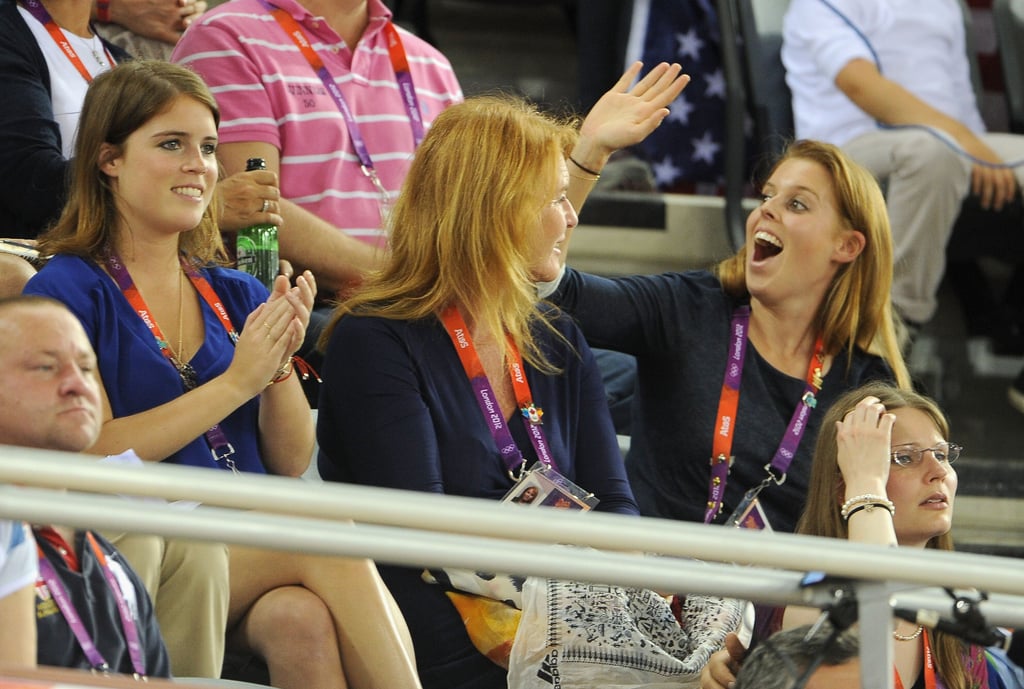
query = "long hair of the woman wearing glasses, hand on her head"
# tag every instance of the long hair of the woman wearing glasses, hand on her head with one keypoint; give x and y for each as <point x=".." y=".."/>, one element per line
<point x="822" y="513"/>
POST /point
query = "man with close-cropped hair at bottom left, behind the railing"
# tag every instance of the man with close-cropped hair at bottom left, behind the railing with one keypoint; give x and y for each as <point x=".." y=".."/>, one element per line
<point x="90" y="604"/>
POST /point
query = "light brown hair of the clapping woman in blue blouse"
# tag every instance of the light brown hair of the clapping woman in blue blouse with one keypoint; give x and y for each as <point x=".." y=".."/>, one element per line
<point x="117" y="104"/>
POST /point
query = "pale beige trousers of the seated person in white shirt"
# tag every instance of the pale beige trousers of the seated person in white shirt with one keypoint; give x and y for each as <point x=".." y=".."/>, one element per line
<point x="926" y="182"/>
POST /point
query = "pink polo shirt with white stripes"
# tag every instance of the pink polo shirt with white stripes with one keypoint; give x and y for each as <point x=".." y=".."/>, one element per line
<point x="269" y="93"/>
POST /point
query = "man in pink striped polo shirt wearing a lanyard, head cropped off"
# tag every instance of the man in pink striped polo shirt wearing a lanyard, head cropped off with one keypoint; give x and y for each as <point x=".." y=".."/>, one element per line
<point x="334" y="98"/>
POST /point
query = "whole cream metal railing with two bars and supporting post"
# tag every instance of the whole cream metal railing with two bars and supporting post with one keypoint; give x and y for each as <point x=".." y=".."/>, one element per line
<point x="431" y="531"/>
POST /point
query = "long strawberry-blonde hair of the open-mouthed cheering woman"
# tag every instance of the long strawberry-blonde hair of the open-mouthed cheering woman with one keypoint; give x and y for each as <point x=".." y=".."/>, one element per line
<point x="858" y="309"/>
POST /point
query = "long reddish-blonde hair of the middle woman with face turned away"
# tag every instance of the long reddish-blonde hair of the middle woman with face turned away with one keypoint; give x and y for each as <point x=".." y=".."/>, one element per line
<point x="462" y="226"/>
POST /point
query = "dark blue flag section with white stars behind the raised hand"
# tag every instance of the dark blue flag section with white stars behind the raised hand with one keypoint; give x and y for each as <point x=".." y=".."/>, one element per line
<point x="687" y="153"/>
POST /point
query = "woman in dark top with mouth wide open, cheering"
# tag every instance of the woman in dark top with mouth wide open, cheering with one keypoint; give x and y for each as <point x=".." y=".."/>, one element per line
<point x="797" y="317"/>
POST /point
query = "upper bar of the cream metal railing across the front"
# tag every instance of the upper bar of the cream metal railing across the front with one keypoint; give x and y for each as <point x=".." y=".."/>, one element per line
<point x="454" y="514"/>
